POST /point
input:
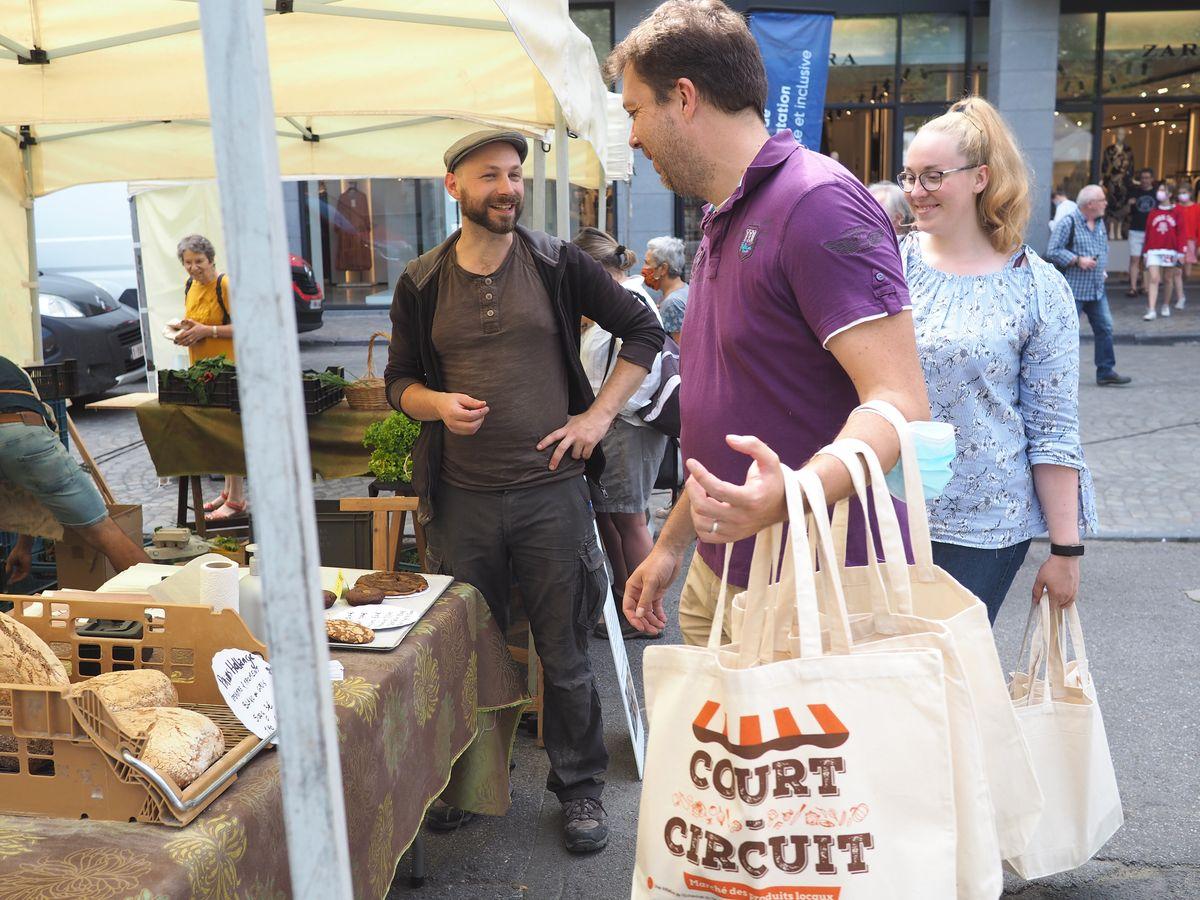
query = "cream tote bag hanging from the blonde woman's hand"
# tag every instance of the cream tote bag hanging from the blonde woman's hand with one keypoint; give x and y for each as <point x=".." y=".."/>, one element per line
<point x="1063" y="724"/>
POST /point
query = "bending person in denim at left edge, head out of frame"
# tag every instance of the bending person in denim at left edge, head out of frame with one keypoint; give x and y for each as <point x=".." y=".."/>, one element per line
<point x="33" y="458"/>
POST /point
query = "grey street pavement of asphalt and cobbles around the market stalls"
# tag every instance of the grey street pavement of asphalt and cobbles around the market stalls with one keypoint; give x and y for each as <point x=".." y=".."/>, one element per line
<point x="1141" y="442"/>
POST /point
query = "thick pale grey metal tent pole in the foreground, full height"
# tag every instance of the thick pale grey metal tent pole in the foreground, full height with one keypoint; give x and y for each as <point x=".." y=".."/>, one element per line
<point x="275" y="433"/>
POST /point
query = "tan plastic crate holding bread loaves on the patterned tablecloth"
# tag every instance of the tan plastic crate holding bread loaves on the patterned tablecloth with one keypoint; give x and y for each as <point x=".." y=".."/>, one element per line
<point x="64" y="757"/>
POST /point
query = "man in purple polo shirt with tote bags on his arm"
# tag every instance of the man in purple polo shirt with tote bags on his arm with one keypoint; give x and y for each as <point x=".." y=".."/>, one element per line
<point x="799" y="308"/>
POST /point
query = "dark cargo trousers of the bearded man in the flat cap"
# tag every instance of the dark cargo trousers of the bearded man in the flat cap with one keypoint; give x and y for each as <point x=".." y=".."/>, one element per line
<point x="545" y="538"/>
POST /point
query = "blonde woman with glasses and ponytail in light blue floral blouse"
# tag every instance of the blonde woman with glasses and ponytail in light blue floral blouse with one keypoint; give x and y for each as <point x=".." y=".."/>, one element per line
<point x="999" y="340"/>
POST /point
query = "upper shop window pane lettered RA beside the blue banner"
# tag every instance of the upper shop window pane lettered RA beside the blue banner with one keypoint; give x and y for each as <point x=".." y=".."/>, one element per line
<point x="862" y="61"/>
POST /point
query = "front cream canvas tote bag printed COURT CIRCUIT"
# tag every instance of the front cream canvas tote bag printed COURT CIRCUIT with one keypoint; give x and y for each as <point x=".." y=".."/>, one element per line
<point x="826" y="776"/>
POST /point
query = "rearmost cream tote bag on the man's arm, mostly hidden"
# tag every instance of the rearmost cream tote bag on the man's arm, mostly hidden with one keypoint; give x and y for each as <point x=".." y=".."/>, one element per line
<point x="929" y="592"/>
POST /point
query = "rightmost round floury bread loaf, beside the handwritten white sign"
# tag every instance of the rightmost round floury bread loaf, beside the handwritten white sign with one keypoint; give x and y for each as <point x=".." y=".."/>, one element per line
<point x="181" y="745"/>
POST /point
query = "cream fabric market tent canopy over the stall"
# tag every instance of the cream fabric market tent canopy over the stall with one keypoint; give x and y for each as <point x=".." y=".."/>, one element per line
<point x="117" y="92"/>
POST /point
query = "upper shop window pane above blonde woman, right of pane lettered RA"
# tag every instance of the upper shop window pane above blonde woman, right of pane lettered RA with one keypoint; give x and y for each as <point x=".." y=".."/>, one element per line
<point x="932" y="52"/>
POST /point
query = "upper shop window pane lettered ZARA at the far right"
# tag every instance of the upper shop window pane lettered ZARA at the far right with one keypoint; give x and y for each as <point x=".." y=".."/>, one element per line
<point x="1151" y="55"/>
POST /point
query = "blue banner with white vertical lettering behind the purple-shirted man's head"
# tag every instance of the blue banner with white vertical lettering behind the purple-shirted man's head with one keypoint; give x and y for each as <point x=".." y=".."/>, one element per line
<point x="796" y="51"/>
